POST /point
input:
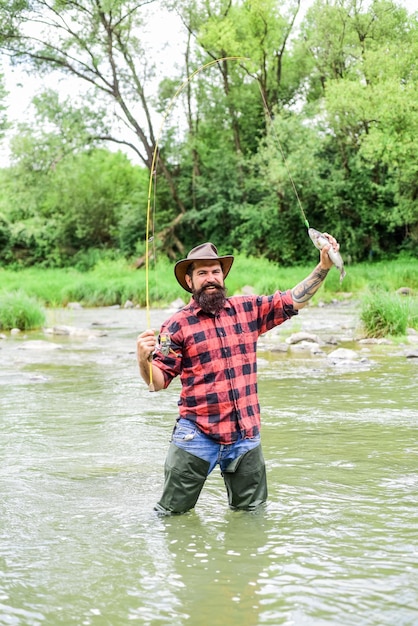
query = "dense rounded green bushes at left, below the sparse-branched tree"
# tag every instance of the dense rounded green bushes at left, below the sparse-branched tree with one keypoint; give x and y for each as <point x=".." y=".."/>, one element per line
<point x="94" y="199"/>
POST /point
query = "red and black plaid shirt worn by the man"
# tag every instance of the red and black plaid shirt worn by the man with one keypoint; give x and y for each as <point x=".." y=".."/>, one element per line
<point x="215" y="357"/>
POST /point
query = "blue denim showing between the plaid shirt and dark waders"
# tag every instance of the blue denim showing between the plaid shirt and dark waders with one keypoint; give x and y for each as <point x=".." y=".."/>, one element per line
<point x="189" y="437"/>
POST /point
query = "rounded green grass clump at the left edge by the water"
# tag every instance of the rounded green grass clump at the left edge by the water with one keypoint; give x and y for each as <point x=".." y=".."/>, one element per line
<point x="18" y="310"/>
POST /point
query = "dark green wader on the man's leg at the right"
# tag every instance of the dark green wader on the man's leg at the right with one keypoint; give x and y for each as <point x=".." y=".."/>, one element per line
<point x="245" y="480"/>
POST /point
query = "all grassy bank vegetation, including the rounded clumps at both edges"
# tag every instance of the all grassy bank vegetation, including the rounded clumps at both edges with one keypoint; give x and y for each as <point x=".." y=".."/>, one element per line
<point x="386" y="290"/>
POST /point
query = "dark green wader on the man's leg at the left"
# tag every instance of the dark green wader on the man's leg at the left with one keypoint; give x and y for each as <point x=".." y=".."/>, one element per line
<point x="185" y="475"/>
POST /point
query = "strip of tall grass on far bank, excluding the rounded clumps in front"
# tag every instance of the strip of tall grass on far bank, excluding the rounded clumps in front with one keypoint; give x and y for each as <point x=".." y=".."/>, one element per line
<point x="112" y="282"/>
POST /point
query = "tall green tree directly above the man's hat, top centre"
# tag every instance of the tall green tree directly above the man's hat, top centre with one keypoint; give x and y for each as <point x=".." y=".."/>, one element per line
<point x="228" y="109"/>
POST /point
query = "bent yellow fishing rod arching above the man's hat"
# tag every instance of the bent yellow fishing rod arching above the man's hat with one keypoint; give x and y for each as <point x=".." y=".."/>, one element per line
<point x="153" y="173"/>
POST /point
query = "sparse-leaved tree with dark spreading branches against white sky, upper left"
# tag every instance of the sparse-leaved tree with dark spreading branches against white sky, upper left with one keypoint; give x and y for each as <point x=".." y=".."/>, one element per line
<point x="98" y="44"/>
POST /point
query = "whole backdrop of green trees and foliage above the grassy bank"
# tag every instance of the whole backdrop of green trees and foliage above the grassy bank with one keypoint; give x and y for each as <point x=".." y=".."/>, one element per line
<point x="315" y="121"/>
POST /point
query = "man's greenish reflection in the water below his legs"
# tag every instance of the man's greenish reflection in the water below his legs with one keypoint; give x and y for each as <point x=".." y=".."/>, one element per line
<point x="218" y="566"/>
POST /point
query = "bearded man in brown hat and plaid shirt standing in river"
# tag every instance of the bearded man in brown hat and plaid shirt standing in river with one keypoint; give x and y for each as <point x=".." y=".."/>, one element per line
<point x="212" y="344"/>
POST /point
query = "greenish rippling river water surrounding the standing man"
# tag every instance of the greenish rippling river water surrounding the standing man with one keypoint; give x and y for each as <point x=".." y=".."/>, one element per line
<point x="82" y="450"/>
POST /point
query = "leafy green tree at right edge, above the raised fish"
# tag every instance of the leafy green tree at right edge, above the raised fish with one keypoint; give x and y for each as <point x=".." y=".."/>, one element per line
<point x="366" y="106"/>
